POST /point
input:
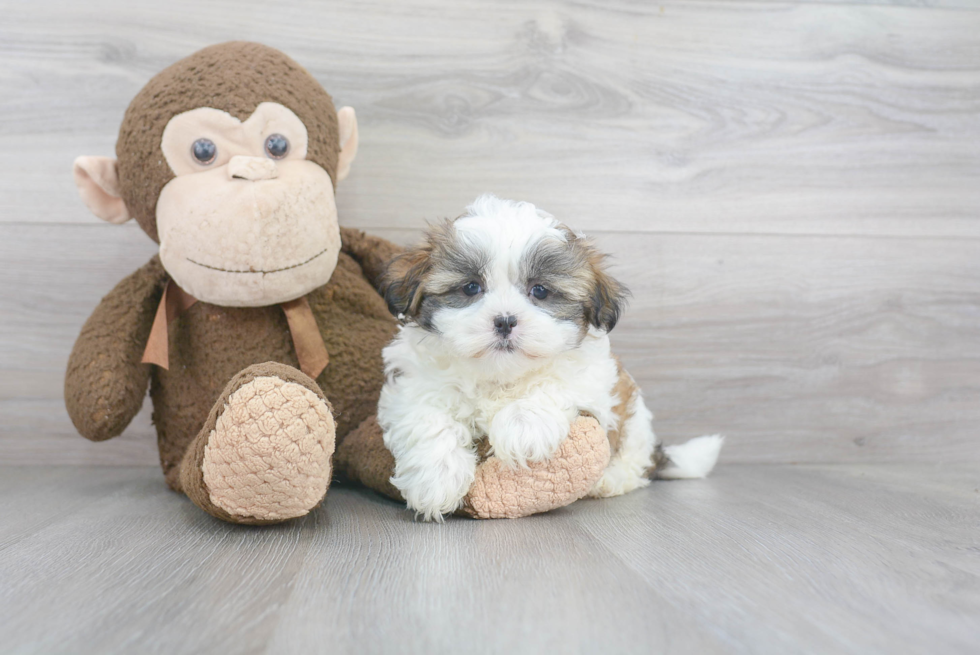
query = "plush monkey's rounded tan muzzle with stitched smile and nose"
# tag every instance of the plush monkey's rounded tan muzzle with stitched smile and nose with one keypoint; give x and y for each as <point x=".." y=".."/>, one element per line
<point x="247" y="234"/>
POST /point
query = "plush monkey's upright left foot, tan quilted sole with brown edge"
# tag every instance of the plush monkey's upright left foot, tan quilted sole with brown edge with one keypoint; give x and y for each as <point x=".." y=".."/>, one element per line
<point x="264" y="454"/>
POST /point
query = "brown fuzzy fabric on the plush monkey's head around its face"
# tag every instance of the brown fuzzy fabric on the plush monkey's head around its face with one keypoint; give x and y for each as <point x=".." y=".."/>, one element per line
<point x="234" y="77"/>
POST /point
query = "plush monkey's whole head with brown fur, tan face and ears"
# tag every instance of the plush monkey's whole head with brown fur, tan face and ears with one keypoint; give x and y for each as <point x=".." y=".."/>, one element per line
<point x="229" y="159"/>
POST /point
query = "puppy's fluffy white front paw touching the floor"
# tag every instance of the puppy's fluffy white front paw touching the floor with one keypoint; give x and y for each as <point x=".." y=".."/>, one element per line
<point x="435" y="485"/>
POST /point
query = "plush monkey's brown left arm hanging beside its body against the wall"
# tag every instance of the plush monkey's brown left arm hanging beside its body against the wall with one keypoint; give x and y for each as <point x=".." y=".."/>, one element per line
<point x="106" y="382"/>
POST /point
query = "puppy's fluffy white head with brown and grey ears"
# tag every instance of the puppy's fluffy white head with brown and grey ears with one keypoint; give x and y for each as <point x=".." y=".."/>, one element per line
<point x="504" y="281"/>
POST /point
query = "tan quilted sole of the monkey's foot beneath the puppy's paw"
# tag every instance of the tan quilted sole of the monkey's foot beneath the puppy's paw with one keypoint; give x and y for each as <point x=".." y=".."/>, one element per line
<point x="500" y="491"/>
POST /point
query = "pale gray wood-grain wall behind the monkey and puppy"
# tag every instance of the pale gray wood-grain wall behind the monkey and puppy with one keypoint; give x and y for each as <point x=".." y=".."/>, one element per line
<point x="792" y="190"/>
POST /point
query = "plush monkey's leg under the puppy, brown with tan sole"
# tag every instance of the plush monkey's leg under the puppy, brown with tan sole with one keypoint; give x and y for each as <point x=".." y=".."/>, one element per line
<point x="498" y="491"/>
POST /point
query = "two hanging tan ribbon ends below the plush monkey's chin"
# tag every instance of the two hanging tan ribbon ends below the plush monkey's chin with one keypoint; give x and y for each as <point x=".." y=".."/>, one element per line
<point x="310" y="350"/>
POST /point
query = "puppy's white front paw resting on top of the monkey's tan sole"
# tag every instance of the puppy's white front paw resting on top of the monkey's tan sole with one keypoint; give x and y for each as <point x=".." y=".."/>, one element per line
<point x="525" y="432"/>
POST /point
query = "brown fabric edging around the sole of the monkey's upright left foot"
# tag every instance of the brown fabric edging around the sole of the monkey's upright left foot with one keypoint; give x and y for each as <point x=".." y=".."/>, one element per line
<point x="190" y="475"/>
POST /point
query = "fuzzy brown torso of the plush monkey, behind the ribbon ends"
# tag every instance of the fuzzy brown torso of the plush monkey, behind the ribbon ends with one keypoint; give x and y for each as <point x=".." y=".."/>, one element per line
<point x="209" y="345"/>
